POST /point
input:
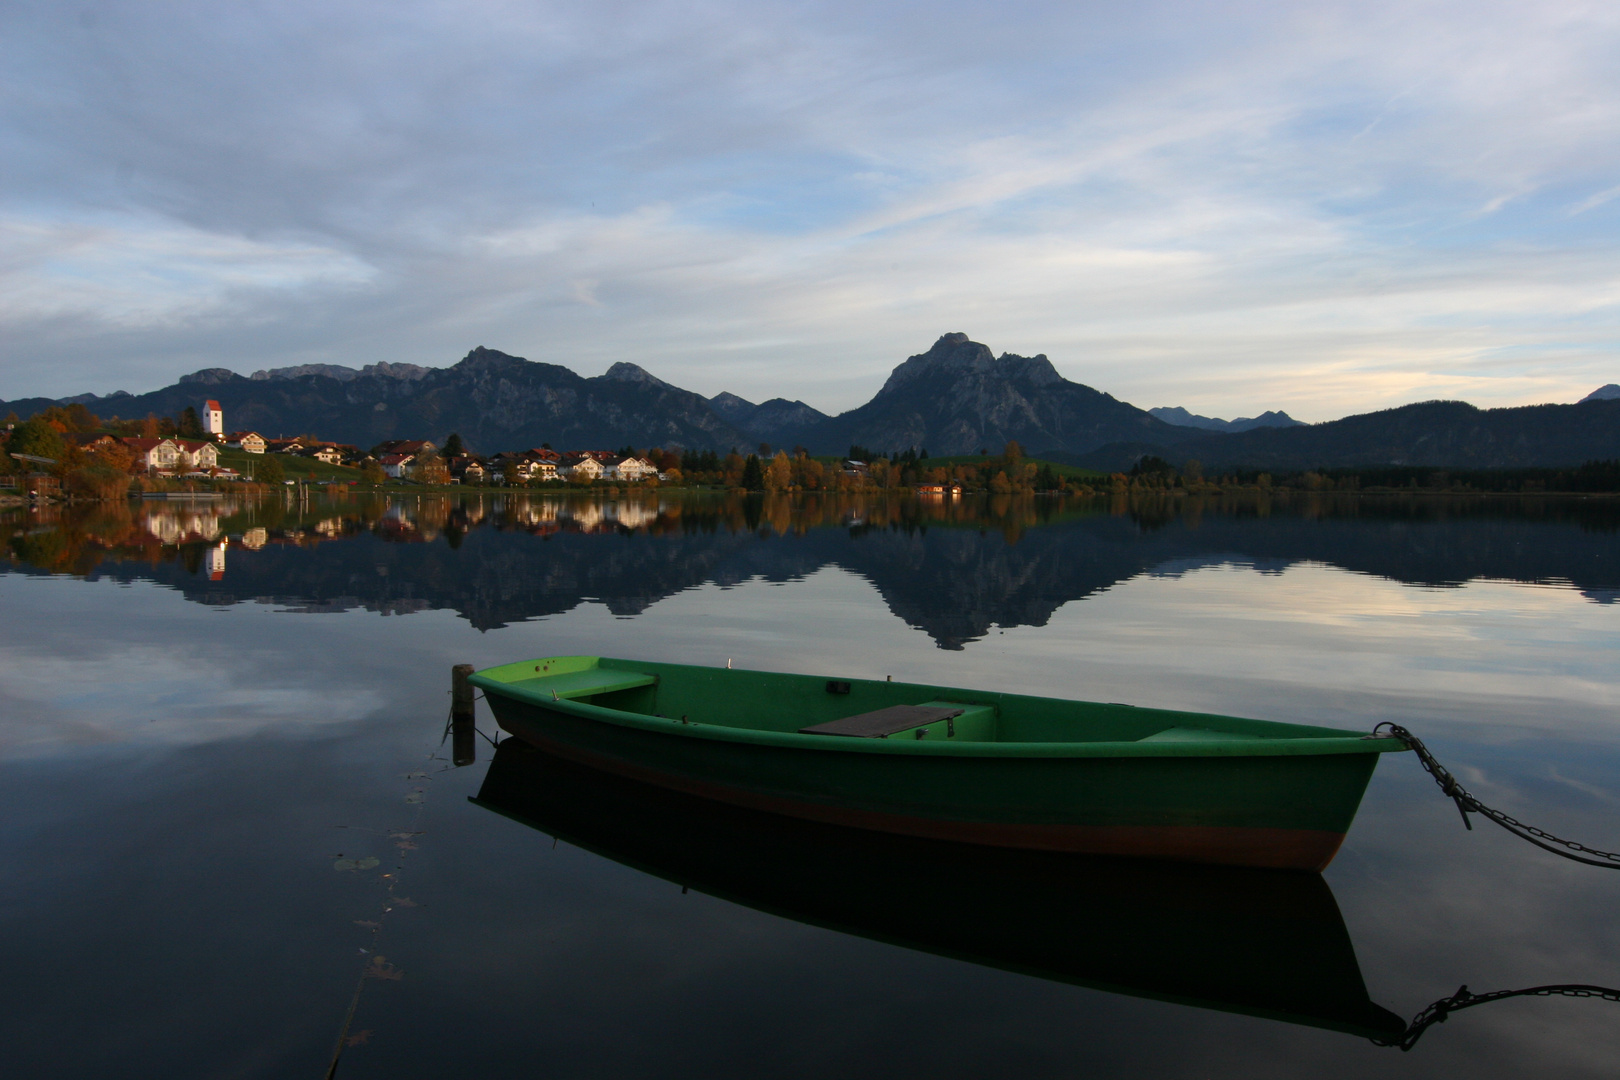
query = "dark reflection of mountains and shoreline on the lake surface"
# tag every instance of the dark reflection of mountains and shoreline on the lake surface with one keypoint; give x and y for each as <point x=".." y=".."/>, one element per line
<point x="953" y="571"/>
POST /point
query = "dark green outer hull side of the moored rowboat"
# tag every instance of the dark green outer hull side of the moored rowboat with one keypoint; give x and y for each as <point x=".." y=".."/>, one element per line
<point x="1287" y="812"/>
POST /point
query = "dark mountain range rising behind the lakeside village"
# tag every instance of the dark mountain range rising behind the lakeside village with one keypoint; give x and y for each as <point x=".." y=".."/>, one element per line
<point x="955" y="399"/>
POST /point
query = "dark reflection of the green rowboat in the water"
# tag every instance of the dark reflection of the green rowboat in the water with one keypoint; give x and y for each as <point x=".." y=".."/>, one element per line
<point x="1251" y="942"/>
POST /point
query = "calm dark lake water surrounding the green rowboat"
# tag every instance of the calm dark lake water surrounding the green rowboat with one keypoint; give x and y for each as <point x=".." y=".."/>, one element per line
<point x="226" y="791"/>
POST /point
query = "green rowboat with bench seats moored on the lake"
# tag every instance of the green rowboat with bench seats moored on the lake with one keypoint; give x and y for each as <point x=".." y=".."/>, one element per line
<point x="950" y="763"/>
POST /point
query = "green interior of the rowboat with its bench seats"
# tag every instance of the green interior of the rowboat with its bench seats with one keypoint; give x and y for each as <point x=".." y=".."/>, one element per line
<point x="837" y="708"/>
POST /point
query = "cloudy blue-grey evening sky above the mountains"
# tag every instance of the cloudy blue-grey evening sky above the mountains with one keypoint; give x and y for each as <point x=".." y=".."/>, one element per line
<point x="1324" y="208"/>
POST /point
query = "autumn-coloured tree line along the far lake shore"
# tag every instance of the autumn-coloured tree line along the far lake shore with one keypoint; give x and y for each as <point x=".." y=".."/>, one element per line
<point x="69" y="453"/>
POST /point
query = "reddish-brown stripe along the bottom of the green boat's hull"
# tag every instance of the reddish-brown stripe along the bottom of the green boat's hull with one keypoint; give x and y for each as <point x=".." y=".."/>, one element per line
<point x="1227" y="846"/>
